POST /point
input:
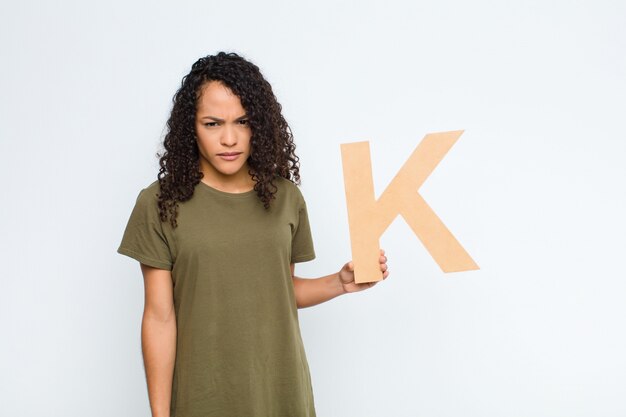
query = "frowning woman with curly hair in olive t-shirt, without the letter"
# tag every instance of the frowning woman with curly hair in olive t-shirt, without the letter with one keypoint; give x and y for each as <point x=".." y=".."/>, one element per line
<point x="217" y="237"/>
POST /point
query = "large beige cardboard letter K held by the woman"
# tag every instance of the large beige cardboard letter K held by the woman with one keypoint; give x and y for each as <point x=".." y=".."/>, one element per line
<point x="368" y="218"/>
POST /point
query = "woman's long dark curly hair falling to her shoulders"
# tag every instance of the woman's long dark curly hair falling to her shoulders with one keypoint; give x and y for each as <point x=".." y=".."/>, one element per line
<point x="272" y="150"/>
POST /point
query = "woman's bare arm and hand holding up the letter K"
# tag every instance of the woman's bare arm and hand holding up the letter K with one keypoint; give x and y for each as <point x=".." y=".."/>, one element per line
<point x="313" y="291"/>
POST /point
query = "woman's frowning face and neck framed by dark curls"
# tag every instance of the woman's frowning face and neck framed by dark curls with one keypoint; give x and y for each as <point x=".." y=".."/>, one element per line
<point x="223" y="136"/>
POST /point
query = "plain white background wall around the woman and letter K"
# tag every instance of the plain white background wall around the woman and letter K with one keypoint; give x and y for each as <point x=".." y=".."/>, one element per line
<point x="534" y="190"/>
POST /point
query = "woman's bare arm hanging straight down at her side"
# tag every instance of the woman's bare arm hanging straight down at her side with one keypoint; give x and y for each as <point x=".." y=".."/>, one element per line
<point x="158" y="338"/>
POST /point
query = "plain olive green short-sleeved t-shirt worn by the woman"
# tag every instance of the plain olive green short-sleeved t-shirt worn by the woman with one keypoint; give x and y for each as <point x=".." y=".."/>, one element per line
<point x="239" y="351"/>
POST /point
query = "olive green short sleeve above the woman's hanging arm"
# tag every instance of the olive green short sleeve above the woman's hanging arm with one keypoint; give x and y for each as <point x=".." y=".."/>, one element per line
<point x="144" y="238"/>
